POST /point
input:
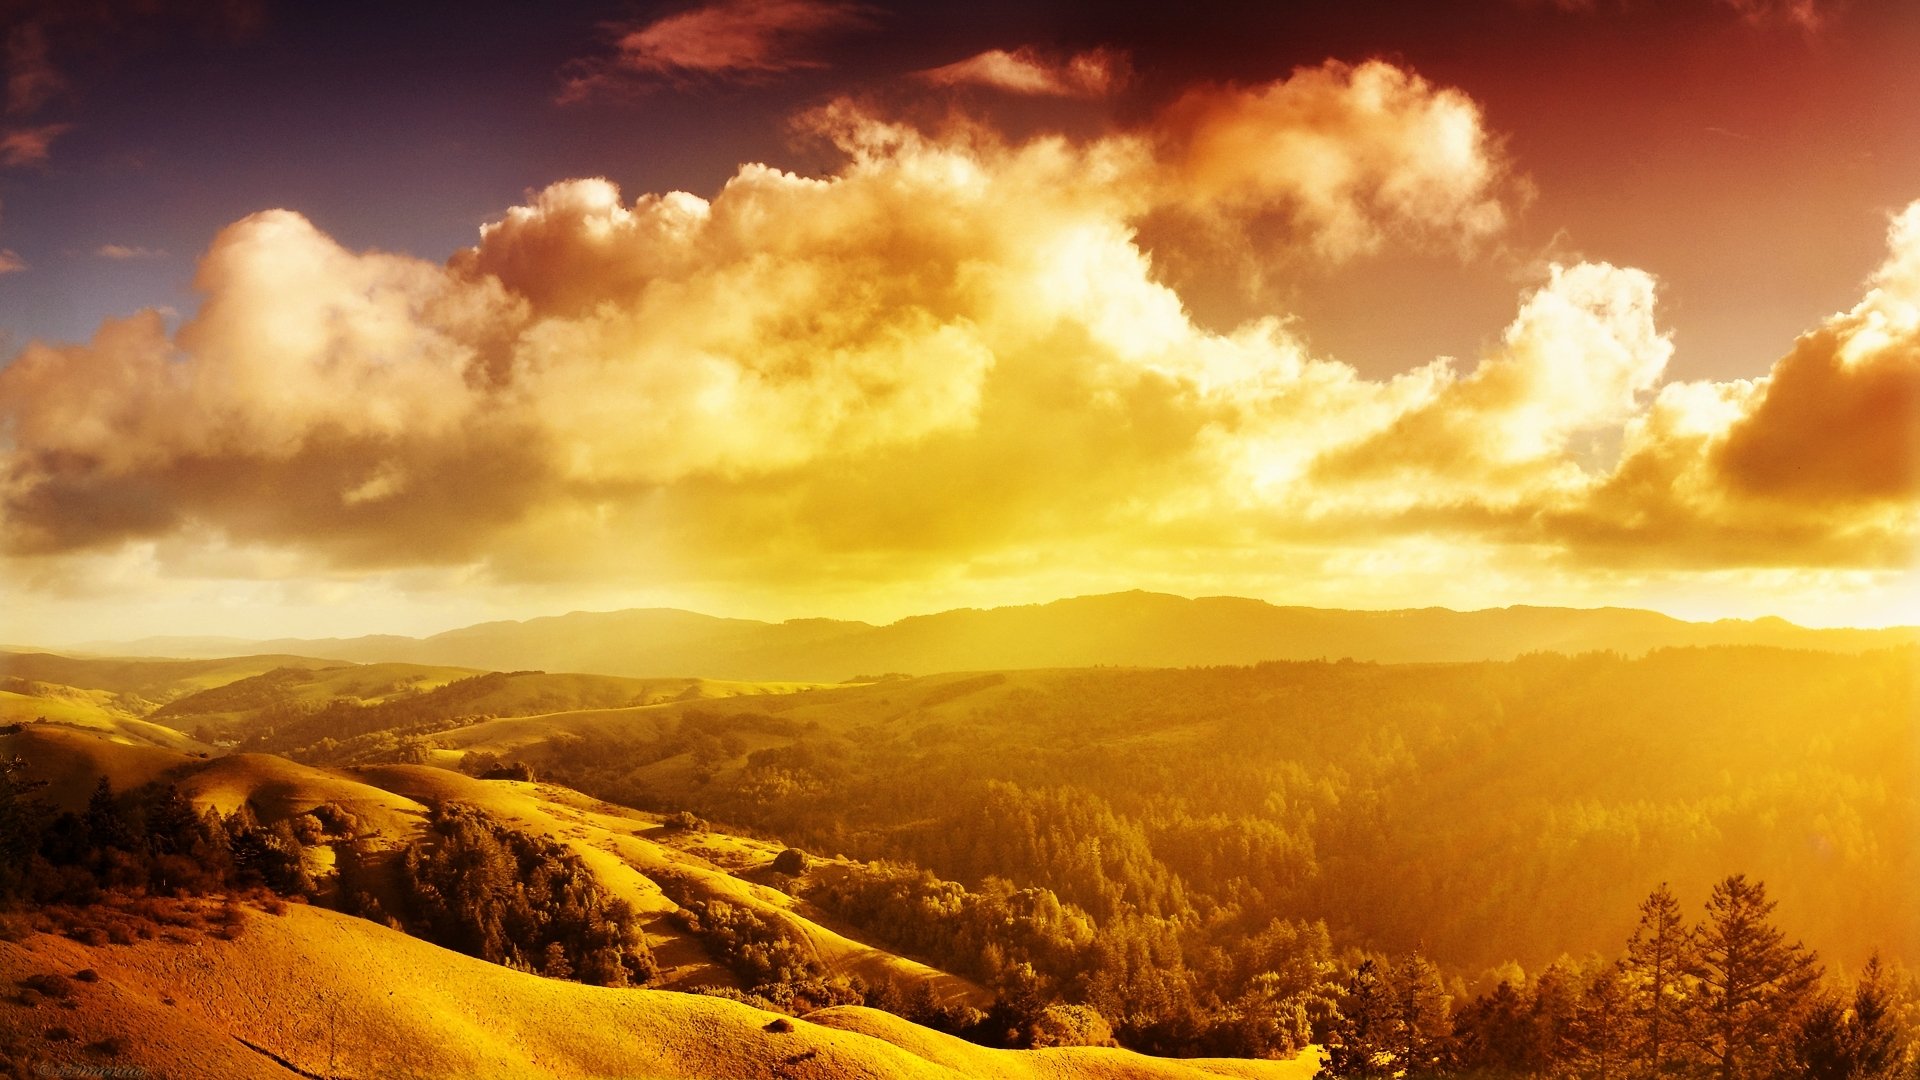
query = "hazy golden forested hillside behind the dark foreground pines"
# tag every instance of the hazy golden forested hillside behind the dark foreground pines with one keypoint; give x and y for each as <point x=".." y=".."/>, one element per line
<point x="1489" y="814"/>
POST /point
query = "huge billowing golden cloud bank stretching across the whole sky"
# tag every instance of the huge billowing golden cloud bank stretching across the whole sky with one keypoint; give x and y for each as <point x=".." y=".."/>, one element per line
<point x="951" y="358"/>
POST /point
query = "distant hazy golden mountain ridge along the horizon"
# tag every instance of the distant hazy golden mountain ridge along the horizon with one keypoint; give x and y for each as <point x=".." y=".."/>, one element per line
<point x="1134" y="629"/>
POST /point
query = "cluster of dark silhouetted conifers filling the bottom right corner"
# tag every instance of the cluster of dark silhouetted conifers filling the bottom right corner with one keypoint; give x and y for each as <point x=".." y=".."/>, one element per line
<point x="1727" y="998"/>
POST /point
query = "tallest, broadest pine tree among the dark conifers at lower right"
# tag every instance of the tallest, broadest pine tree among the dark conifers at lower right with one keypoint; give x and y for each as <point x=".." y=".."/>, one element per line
<point x="1754" y="985"/>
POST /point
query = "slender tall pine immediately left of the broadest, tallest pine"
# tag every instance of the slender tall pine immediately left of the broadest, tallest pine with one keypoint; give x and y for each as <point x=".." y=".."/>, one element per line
<point x="1656" y="971"/>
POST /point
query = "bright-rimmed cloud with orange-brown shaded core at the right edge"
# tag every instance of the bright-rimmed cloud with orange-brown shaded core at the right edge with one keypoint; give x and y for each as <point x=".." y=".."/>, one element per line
<point x="1815" y="462"/>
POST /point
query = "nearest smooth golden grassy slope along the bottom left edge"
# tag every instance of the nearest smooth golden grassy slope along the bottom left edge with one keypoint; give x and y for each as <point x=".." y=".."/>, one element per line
<point x="337" y="996"/>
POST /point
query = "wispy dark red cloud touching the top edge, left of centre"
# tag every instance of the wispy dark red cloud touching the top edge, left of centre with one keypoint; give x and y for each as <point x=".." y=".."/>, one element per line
<point x="729" y="39"/>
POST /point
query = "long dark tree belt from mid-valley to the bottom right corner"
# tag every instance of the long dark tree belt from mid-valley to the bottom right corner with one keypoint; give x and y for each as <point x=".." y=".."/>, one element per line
<point x="1725" y="998"/>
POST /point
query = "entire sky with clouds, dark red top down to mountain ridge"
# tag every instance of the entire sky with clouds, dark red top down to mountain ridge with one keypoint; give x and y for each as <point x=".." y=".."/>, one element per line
<point x="370" y="318"/>
